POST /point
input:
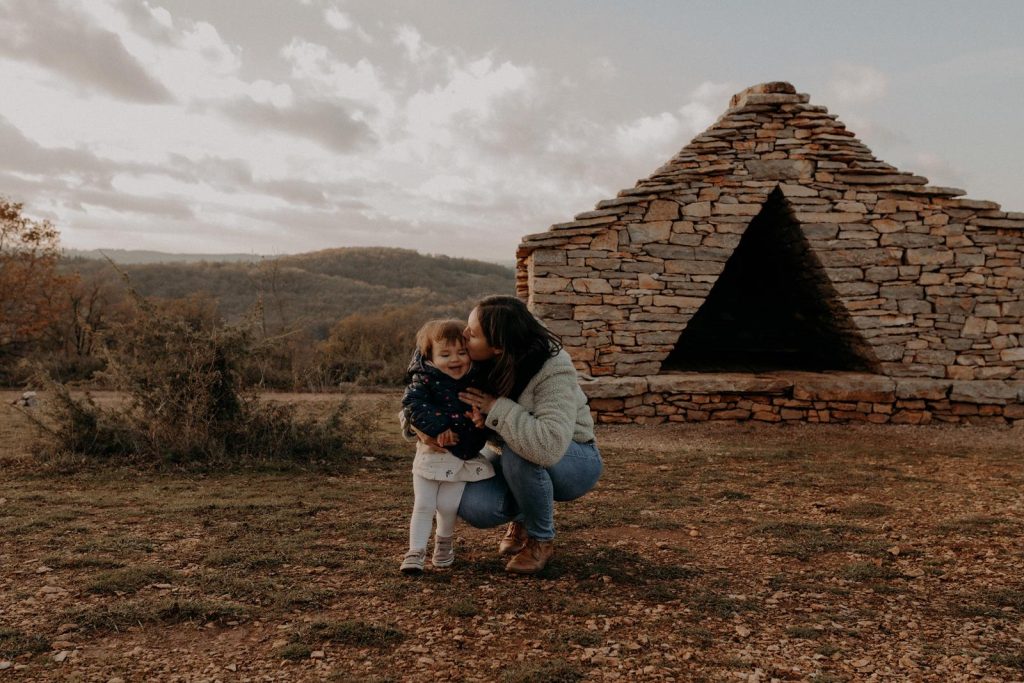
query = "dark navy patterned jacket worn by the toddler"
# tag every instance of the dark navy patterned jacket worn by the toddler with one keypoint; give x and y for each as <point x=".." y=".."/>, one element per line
<point x="432" y="405"/>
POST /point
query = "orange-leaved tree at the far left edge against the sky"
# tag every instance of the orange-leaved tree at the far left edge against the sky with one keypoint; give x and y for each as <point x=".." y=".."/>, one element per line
<point x="31" y="287"/>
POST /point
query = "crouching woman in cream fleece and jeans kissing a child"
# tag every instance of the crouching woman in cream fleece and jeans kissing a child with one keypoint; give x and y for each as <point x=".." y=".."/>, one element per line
<point x="541" y="414"/>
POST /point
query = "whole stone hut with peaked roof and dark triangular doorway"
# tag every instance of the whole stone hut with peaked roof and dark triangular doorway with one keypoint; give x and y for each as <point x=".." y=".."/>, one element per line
<point x="776" y="271"/>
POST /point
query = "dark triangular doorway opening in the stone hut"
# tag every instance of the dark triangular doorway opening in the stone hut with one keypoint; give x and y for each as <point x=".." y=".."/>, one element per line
<point x="774" y="308"/>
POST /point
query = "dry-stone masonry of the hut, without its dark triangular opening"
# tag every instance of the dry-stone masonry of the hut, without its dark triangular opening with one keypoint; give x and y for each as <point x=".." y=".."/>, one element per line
<point x="933" y="282"/>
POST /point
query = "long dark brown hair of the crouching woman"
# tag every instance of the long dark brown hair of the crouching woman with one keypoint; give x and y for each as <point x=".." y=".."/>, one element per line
<point x="526" y="345"/>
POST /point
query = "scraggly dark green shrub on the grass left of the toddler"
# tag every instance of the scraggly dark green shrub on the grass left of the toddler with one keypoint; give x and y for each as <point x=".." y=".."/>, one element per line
<point x="183" y="403"/>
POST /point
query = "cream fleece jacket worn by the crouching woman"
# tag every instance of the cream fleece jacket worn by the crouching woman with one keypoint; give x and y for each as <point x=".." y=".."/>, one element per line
<point x="551" y="412"/>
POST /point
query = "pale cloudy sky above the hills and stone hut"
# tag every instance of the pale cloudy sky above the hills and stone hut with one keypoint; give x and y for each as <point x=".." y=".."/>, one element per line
<point x="282" y="126"/>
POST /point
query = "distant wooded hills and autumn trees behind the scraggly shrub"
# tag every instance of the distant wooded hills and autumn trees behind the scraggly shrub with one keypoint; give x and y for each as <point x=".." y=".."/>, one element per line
<point x="328" y="318"/>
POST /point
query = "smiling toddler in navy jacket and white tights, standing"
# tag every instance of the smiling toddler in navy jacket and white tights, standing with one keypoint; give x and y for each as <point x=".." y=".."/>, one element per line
<point x="441" y="369"/>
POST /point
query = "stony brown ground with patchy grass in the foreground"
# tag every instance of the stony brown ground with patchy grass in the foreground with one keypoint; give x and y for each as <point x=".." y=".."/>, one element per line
<point x="708" y="552"/>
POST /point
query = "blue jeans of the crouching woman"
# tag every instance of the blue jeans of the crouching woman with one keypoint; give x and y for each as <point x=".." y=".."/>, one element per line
<point x="524" y="492"/>
